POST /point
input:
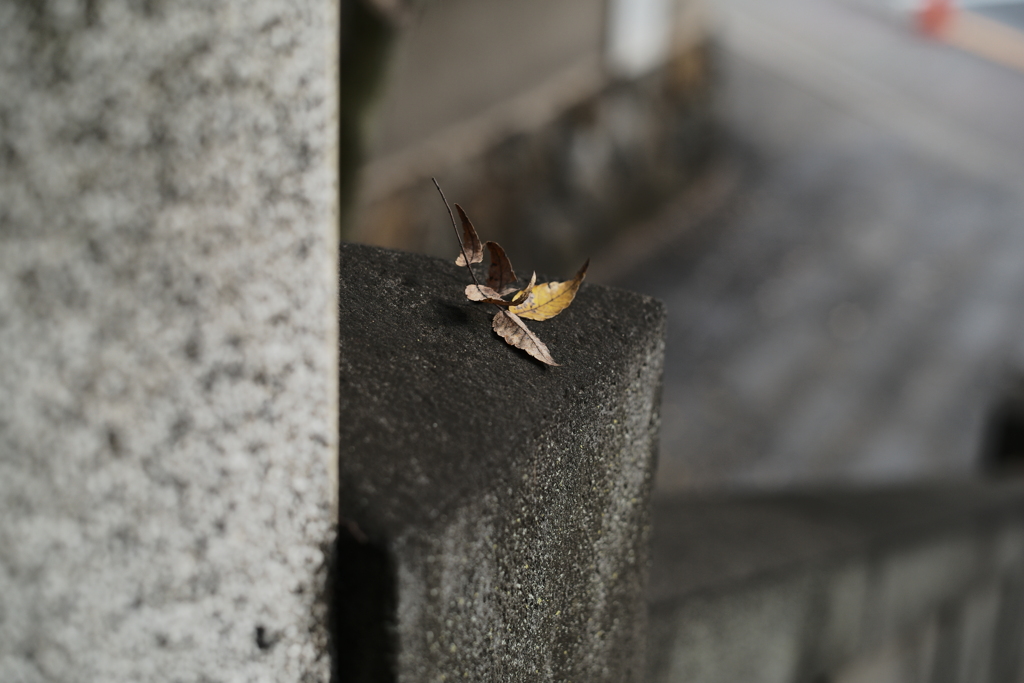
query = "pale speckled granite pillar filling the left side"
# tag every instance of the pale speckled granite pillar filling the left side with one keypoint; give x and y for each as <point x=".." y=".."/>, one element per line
<point x="167" y="327"/>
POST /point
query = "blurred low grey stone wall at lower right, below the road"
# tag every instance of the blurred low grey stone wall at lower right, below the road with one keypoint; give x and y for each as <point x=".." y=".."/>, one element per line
<point x="839" y="586"/>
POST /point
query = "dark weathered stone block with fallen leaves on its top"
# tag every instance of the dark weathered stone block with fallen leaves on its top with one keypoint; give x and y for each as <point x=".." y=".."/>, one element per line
<point x="511" y="497"/>
